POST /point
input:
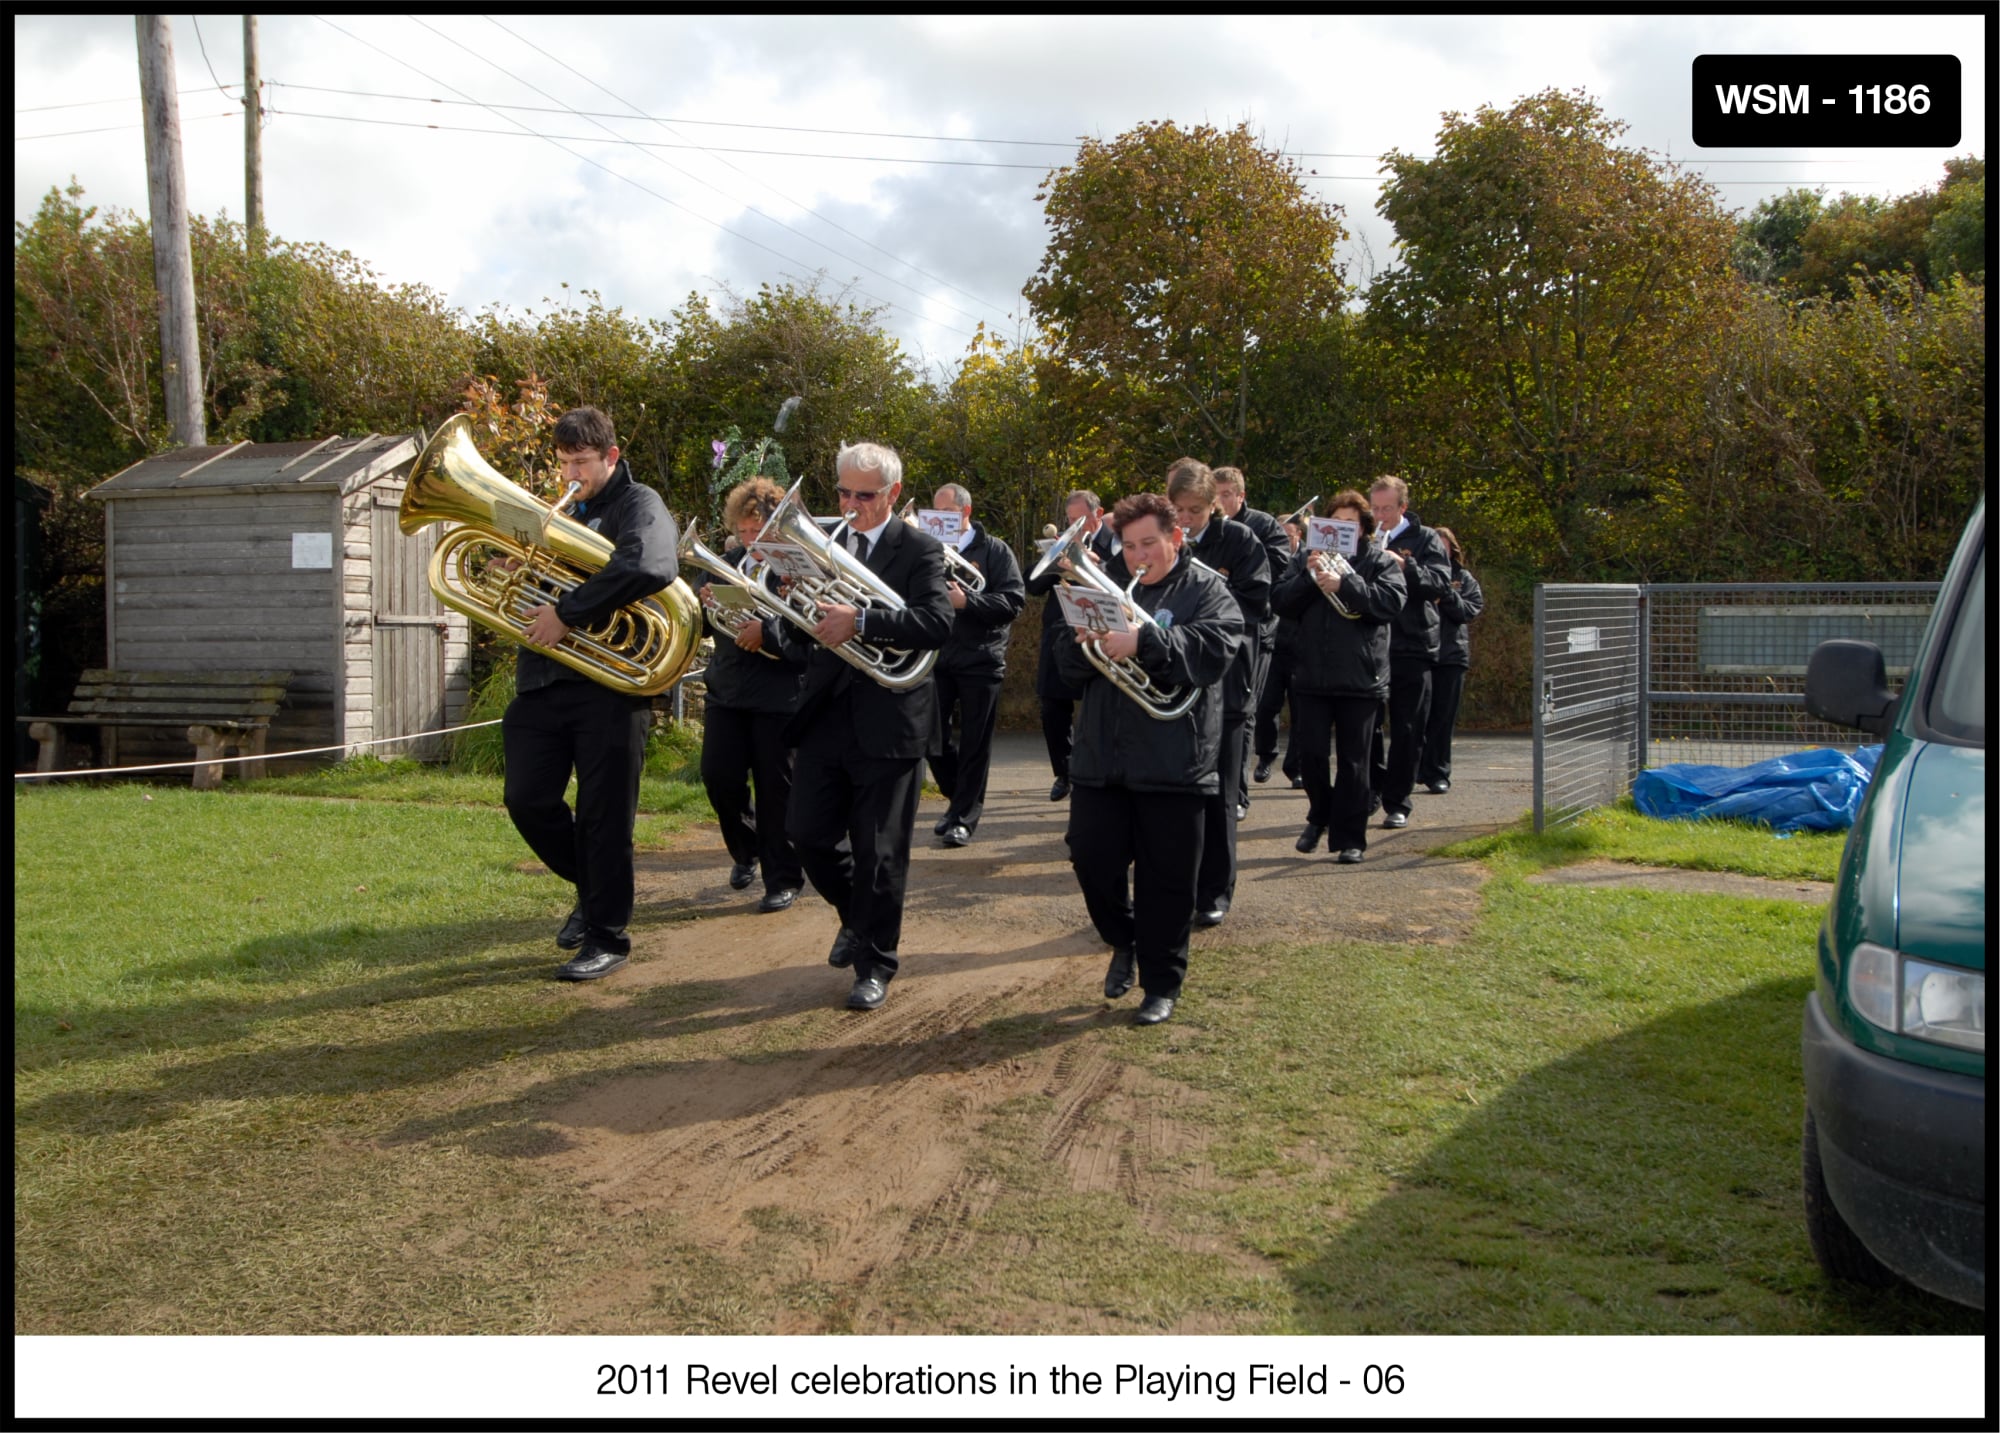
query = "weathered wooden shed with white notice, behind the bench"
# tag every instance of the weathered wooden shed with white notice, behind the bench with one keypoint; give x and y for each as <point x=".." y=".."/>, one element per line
<point x="283" y="557"/>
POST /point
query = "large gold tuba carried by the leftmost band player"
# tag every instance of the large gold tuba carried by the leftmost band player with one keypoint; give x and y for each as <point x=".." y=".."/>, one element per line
<point x="513" y="553"/>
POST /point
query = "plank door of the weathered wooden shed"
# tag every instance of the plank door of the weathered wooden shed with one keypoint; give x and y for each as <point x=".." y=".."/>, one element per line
<point x="409" y="635"/>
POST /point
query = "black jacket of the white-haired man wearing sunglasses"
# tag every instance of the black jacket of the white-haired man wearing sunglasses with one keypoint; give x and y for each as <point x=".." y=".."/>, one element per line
<point x="887" y="724"/>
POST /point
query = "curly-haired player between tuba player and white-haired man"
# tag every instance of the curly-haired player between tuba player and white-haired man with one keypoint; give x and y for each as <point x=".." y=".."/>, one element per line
<point x="753" y="691"/>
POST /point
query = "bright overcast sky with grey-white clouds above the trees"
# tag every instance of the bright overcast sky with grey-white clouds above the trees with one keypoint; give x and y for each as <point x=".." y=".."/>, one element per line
<point x="847" y="111"/>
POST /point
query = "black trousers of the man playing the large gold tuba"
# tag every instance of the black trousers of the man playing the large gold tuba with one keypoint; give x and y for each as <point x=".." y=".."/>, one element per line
<point x="601" y="736"/>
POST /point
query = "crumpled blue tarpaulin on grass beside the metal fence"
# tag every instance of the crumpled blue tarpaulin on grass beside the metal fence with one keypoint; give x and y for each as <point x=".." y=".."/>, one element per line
<point x="1805" y="792"/>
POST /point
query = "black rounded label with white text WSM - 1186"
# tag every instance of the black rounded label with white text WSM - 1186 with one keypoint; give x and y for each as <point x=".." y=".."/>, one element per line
<point x="1837" y="101"/>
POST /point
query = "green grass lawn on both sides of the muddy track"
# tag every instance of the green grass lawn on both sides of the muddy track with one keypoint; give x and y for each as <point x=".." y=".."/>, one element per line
<point x="233" y="1058"/>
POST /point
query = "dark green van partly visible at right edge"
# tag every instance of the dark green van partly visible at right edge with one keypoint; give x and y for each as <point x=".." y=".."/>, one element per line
<point x="1897" y="1026"/>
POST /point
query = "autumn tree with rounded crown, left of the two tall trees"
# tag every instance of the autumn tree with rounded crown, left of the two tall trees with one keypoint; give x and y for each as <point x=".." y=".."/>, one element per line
<point x="1181" y="265"/>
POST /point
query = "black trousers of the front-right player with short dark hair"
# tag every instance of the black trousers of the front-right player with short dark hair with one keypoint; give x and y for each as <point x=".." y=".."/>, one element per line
<point x="1157" y="838"/>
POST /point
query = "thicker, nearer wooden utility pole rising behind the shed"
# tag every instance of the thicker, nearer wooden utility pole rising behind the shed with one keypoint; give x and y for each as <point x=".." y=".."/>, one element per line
<point x="173" y="269"/>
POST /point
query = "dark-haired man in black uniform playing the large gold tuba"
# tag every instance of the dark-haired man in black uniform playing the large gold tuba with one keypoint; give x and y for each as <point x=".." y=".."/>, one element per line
<point x="563" y="722"/>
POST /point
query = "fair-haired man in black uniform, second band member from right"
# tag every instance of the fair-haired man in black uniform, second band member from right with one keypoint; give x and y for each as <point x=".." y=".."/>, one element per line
<point x="1413" y="647"/>
